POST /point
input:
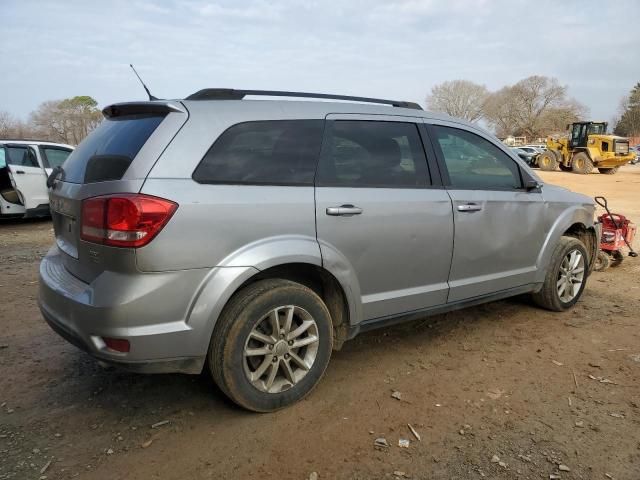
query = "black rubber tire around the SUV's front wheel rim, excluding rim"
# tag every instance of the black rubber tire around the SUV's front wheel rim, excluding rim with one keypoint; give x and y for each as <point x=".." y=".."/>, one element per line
<point x="548" y="296"/>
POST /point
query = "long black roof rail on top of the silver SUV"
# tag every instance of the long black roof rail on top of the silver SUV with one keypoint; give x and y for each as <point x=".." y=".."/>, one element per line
<point x="231" y="94"/>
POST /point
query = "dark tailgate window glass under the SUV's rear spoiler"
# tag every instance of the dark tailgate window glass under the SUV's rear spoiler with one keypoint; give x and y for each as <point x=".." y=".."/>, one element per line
<point x="109" y="150"/>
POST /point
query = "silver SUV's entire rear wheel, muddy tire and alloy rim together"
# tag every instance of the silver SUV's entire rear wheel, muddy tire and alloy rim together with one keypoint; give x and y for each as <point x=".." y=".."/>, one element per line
<point x="271" y="345"/>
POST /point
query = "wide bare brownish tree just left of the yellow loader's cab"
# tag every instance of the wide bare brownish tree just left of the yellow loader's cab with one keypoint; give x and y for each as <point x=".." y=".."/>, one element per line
<point x="534" y="107"/>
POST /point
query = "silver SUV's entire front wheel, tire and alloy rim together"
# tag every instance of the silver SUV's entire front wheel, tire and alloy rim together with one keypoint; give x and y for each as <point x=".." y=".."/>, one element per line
<point x="566" y="276"/>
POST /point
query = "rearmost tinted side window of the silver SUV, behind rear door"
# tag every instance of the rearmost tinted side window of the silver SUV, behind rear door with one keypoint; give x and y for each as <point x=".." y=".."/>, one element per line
<point x="277" y="152"/>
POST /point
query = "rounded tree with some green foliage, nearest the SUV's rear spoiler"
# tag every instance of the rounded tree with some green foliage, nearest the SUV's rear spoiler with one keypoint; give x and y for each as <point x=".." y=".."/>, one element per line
<point x="68" y="120"/>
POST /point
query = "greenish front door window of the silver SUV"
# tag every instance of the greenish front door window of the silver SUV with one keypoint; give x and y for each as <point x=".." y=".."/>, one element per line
<point x="475" y="163"/>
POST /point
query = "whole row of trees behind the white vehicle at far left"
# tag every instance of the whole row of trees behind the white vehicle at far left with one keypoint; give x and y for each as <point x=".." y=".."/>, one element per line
<point x="63" y="121"/>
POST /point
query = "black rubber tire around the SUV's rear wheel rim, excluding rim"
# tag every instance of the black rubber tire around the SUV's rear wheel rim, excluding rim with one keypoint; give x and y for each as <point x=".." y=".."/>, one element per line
<point x="247" y="308"/>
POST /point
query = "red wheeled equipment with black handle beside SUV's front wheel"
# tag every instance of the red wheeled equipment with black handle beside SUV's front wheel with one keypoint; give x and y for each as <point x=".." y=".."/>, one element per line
<point x="617" y="232"/>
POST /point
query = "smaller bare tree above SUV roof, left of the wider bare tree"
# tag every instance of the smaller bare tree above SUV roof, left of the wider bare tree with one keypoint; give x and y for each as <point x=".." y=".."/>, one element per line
<point x="458" y="98"/>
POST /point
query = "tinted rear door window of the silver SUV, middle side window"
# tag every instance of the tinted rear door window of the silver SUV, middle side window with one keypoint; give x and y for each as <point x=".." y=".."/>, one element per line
<point x="373" y="154"/>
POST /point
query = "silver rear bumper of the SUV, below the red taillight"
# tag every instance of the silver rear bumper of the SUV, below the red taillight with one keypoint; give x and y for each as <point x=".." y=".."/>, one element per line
<point x="149" y="310"/>
